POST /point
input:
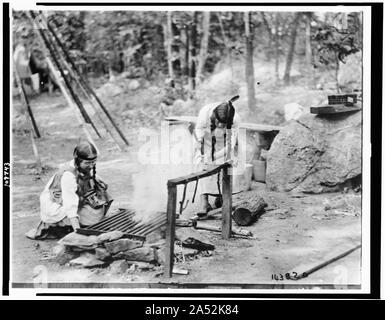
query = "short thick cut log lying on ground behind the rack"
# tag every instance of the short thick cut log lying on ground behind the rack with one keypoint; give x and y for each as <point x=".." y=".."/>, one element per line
<point x="248" y="211"/>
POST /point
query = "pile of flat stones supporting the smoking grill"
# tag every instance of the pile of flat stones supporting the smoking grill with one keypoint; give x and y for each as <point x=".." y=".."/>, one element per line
<point x="121" y="253"/>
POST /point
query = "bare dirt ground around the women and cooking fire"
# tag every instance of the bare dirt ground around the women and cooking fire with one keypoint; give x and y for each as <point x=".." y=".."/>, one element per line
<point x="295" y="234"/>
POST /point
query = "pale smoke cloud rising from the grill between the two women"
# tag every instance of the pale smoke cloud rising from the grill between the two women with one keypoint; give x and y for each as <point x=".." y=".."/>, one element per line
<point x="161" y="157"/>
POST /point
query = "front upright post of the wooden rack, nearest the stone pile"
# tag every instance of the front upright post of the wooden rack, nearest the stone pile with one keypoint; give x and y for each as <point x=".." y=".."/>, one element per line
<point x="170" y="232"/>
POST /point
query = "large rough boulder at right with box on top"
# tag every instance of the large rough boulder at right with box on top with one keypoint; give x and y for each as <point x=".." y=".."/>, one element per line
<point x="315" y="154"/>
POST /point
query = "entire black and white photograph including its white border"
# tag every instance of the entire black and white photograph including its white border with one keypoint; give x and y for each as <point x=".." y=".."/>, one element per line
<point x="194" y="148"/>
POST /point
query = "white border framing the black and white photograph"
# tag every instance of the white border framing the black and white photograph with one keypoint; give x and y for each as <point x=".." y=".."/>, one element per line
<point x="27" y="293"/>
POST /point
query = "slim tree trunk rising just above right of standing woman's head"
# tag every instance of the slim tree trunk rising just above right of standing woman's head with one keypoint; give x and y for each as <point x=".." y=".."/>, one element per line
<point x="249" y="65"/>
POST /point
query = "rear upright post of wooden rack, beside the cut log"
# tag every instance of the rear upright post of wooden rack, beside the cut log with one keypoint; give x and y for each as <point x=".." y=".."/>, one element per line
<point x="227" y="202"/>
